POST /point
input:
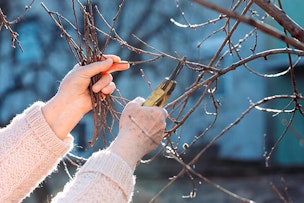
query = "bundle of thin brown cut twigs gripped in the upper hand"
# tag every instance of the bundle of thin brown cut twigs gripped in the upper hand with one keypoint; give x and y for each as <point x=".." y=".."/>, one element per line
<point x="86" y="49"/>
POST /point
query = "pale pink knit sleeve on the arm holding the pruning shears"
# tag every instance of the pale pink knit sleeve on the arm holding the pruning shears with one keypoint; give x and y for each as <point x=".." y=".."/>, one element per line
<point x="105" y="178"/>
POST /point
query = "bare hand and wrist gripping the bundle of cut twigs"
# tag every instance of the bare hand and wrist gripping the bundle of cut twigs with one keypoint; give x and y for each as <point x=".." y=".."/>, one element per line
<point x="73" y="100"/>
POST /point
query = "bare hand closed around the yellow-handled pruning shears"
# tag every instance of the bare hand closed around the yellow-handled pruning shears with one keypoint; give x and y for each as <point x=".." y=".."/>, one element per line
<point x="141" y="130"/>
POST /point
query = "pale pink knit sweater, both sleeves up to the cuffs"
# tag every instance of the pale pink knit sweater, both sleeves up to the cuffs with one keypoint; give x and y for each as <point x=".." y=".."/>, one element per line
<point x="30" y="151"/>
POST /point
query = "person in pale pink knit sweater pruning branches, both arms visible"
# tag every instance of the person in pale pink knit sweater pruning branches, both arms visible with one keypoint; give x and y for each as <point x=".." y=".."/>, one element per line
<point x="36" y="140"/>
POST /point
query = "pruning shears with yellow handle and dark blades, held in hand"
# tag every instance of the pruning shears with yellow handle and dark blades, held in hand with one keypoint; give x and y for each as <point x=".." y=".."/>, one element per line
<point x="162" y="93"/>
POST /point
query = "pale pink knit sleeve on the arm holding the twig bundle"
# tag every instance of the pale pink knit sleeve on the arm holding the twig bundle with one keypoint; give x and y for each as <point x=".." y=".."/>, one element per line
<point x="29" y="152"/>
